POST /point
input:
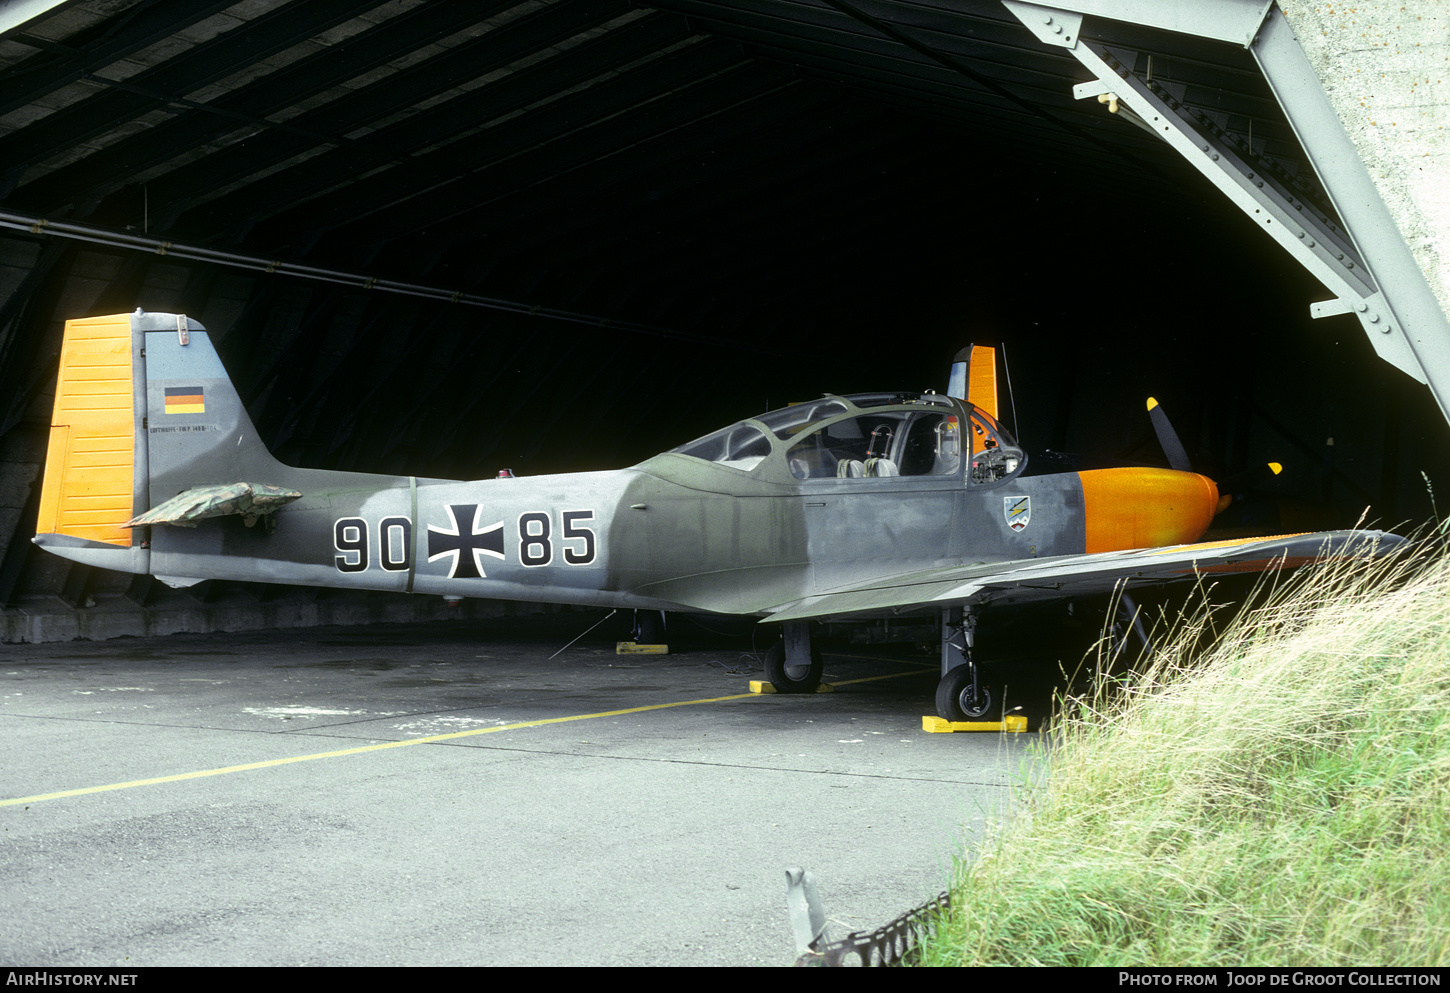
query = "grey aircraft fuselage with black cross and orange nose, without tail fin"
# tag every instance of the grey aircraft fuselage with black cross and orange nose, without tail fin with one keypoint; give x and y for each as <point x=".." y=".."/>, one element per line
<point x="674" y="533"/>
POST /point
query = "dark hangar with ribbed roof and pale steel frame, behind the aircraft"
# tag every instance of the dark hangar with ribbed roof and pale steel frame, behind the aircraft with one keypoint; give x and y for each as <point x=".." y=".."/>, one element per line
<point x="549" y="236"/>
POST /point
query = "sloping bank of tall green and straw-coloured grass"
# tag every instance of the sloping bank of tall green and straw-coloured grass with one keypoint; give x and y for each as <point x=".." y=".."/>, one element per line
<point x="1280" y="798"/>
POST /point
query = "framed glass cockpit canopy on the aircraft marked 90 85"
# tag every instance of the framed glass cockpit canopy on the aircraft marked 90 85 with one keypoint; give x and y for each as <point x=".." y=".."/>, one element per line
<point x="868" y="436"/>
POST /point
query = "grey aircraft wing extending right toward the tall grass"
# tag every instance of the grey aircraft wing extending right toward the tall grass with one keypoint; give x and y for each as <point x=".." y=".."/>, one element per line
<point x="1068" y="576"/>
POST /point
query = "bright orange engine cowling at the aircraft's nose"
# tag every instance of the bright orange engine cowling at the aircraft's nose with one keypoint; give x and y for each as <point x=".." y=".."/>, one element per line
<point x="1146" y="508"/>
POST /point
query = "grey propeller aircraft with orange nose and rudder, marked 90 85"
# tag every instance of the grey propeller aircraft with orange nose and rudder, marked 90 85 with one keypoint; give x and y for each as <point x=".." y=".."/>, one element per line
<point x="848" y="507"/>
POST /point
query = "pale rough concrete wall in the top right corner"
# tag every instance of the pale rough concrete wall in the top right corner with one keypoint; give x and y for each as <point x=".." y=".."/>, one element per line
<point x="1385" y="66"/>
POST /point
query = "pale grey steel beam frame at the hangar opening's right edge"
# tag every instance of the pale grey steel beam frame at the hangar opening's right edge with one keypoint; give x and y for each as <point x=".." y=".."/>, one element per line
<point x="1367" y="266"/>
